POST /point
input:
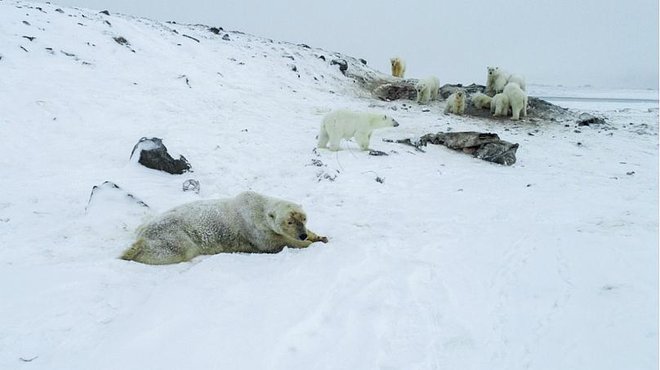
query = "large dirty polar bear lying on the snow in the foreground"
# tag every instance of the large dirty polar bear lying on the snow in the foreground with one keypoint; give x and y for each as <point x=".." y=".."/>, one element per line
<point x="249" y="223"/>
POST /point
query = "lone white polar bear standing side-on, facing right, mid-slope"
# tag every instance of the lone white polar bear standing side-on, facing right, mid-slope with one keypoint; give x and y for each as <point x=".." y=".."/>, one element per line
<point x="345" y="124"/>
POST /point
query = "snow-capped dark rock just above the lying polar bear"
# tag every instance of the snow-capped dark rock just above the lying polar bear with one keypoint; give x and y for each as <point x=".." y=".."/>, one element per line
<point x="153" y="154"/>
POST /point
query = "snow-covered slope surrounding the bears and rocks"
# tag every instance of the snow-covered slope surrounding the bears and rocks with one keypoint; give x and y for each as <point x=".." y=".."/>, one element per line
<point x="448" y="263"/>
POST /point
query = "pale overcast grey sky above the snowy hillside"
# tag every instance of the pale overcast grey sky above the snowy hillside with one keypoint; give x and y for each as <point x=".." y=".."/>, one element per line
<point x="604" y="43"/>
